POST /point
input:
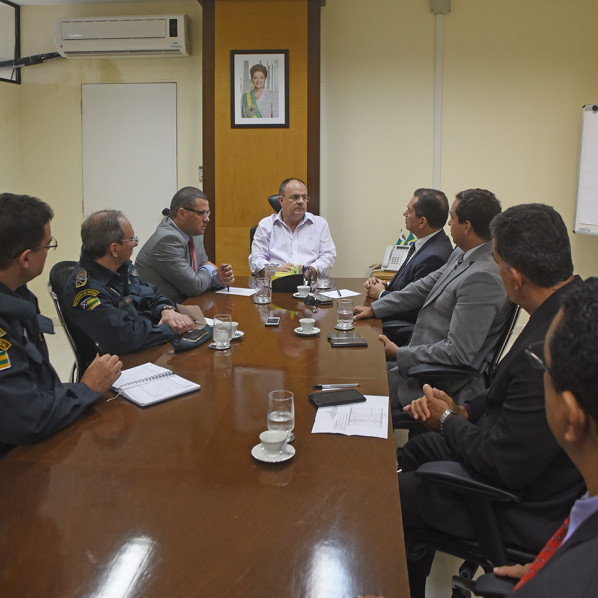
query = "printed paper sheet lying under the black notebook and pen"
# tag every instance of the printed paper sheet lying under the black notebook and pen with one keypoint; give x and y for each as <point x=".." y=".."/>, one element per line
<point x="355" y="419"/>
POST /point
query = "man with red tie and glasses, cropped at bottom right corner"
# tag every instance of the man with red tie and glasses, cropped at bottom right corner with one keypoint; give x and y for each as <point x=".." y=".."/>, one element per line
<point x="570" y="365"/>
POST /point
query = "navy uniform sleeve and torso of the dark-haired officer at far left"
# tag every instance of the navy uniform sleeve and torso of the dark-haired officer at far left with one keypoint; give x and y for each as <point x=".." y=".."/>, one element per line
<point x="33" y="402"/>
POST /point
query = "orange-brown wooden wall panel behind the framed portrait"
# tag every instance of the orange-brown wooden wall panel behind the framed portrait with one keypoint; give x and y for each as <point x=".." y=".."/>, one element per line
<point x="250" y="163"/>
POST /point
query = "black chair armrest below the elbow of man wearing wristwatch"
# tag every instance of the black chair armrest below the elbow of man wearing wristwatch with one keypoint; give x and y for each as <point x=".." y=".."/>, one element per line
<point x="453" y="474"/>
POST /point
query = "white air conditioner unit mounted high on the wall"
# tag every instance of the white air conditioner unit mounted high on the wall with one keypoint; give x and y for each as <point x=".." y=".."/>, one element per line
<point x="126" y="37"/>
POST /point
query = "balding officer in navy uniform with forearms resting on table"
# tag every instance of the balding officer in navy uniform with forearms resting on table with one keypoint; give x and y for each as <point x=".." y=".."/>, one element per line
<point x="107" y="300"/>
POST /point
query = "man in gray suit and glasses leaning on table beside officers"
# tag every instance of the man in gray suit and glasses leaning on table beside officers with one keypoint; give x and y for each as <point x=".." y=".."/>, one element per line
<point x="173" y="258"/>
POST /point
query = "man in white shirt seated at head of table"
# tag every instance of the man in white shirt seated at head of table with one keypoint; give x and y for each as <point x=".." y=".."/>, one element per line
<point x="294" y="238"/>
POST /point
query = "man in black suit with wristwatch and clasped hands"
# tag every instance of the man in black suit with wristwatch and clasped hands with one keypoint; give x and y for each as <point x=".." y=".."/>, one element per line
<point x="501" y="434"/>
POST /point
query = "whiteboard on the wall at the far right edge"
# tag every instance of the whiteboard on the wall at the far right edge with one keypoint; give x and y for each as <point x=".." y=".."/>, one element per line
<point x="586" y="213"/>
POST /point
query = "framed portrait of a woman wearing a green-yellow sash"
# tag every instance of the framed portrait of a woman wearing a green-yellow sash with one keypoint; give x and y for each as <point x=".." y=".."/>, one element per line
<point x="259" y="81"/>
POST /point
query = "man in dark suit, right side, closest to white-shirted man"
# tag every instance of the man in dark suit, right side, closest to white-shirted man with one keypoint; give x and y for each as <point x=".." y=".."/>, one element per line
<point x="426" y="214"/>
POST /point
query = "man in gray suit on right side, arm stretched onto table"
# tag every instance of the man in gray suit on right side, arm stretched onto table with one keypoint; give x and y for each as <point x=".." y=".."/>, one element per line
<point x="463" y="304"/>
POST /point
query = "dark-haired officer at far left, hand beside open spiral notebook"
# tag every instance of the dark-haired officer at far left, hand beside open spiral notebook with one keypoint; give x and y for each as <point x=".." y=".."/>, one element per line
<point x="33" y="402"/>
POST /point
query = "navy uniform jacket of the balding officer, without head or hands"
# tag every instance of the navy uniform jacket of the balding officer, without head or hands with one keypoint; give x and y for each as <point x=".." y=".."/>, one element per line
<point x="116" y="310"/>
